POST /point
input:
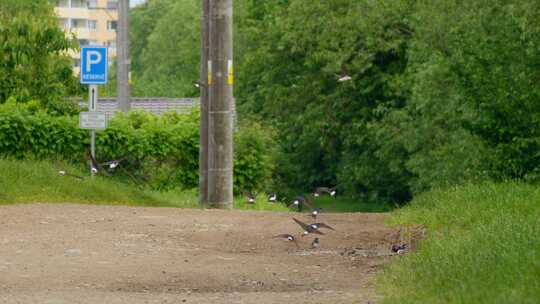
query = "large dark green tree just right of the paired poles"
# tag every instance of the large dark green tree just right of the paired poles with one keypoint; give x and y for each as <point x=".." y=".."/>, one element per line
<point x="290" y="77"/>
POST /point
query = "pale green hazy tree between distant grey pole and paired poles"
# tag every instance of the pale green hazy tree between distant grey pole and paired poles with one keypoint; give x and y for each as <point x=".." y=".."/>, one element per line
<point x="166" y="48"/>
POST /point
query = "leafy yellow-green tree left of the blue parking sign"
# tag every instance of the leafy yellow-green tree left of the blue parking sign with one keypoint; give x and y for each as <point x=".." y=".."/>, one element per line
<point x="33" y="55"/>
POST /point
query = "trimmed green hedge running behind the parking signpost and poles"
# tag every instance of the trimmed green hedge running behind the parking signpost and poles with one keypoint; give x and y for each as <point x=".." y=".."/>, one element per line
<point x="161" y="152"/>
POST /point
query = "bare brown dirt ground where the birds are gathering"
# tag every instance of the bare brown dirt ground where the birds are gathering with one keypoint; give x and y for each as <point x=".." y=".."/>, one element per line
<point x="52" y="253"/>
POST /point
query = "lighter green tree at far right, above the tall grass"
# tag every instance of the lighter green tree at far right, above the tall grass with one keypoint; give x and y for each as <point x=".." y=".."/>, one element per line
<point x="475" y="104"/>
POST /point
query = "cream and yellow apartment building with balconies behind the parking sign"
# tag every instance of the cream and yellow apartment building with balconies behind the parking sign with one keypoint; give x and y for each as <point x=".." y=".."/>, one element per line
<point x="92" y="21"/>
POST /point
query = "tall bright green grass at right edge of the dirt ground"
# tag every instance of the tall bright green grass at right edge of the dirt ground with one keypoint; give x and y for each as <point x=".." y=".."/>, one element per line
<point x="482" y="246"/>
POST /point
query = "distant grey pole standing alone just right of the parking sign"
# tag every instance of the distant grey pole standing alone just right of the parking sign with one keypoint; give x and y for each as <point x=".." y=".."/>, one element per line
<point x="122" y="55"/>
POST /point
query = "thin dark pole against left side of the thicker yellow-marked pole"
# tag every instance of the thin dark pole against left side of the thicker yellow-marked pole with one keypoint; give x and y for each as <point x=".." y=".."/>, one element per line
<point x="203" y="85"/>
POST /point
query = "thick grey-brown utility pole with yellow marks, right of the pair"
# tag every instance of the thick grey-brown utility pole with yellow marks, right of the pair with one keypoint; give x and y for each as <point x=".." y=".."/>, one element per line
<point x="220" y="154"/>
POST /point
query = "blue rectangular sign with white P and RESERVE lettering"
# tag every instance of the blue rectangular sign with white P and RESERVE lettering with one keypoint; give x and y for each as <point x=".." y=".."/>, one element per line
<point x="94" y="65"/>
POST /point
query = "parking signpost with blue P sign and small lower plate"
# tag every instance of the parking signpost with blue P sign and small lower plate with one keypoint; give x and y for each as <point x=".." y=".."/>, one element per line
<point x="94" y="67"/>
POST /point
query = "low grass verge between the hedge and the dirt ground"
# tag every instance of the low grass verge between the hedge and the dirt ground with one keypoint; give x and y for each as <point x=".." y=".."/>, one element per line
<point x="31" y="181"/>
